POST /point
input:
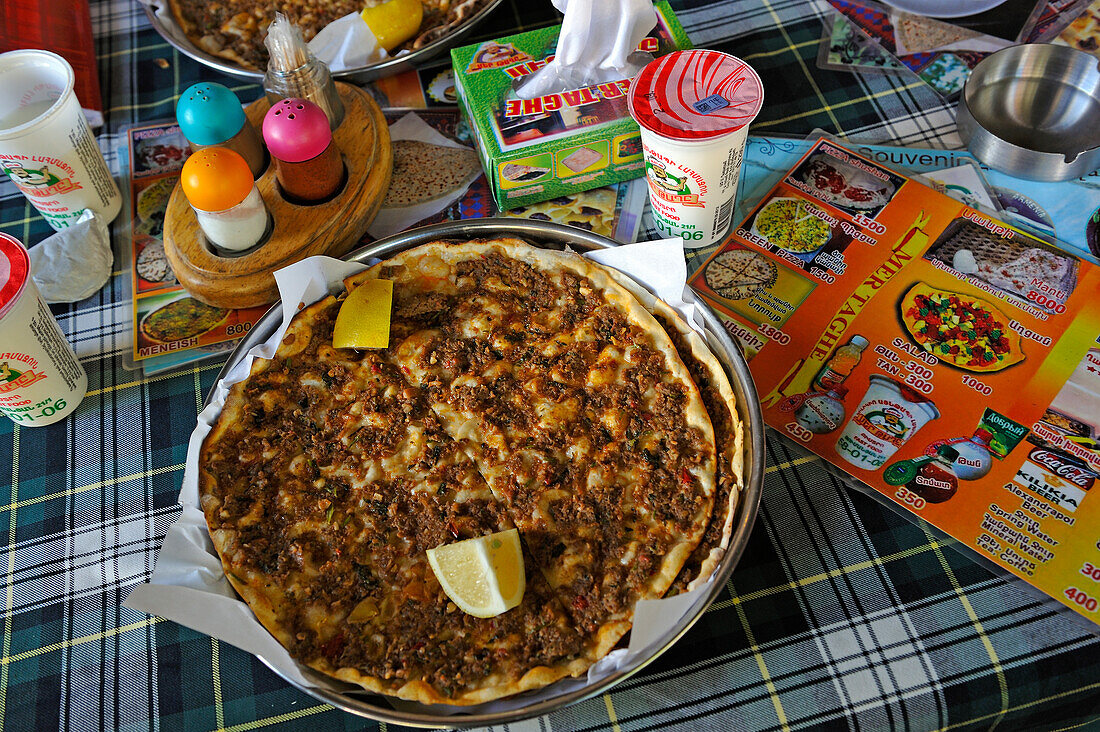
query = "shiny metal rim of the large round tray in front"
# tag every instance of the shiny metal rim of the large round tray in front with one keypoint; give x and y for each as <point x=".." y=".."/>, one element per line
<point x="552" y="236"/>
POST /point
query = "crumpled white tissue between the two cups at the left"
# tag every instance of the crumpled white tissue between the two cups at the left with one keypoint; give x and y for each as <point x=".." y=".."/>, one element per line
<point x="75" y="263"/>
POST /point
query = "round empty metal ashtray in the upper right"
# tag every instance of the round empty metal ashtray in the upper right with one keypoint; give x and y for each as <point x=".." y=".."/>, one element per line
<point x="1032" y="112"/>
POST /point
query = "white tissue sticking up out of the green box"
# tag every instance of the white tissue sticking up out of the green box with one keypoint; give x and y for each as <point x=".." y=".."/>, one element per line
<point x="596" y="46"/>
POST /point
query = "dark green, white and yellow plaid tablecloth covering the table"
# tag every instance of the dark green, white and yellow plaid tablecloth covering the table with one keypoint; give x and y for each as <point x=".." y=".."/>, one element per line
<point x="841" y="615"/>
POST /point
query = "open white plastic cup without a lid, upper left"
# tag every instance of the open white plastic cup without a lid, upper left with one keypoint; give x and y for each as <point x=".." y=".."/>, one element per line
<point x="47" y="146"/>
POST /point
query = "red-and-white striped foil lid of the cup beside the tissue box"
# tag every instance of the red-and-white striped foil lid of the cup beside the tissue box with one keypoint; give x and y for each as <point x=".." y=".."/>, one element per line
<point x="696" y="95"/>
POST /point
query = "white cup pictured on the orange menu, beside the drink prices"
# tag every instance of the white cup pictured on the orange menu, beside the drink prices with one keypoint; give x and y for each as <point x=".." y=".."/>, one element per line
<point x="888" y="417"/>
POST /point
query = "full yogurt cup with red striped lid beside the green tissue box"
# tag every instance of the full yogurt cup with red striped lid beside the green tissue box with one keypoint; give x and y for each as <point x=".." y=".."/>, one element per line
<point x="694" y="110"/>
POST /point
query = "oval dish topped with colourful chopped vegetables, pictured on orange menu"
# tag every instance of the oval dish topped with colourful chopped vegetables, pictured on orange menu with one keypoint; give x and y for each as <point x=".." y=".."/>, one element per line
<point x="959" y="330"/>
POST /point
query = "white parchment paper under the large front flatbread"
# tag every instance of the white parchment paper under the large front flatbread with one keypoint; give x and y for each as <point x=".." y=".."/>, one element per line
<point x="190" y="587"/>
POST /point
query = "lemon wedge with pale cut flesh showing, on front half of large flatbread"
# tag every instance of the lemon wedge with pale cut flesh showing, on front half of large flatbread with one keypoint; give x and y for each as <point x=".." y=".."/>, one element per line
<point x="483" y="576"/>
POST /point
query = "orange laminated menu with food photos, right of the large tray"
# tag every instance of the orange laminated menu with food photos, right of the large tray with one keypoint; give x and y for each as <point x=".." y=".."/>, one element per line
<point x="945" y="359"/>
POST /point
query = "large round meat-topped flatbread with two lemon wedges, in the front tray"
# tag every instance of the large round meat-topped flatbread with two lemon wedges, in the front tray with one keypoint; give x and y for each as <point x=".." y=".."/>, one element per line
<point x="474" y="399"/>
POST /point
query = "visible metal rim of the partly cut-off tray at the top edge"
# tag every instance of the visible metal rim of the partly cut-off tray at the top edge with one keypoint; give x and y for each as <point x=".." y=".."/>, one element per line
<point x="361" y="74"/>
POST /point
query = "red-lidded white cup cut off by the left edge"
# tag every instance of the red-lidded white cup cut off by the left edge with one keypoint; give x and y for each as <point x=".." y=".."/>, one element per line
<point x="41" y="379"/>
